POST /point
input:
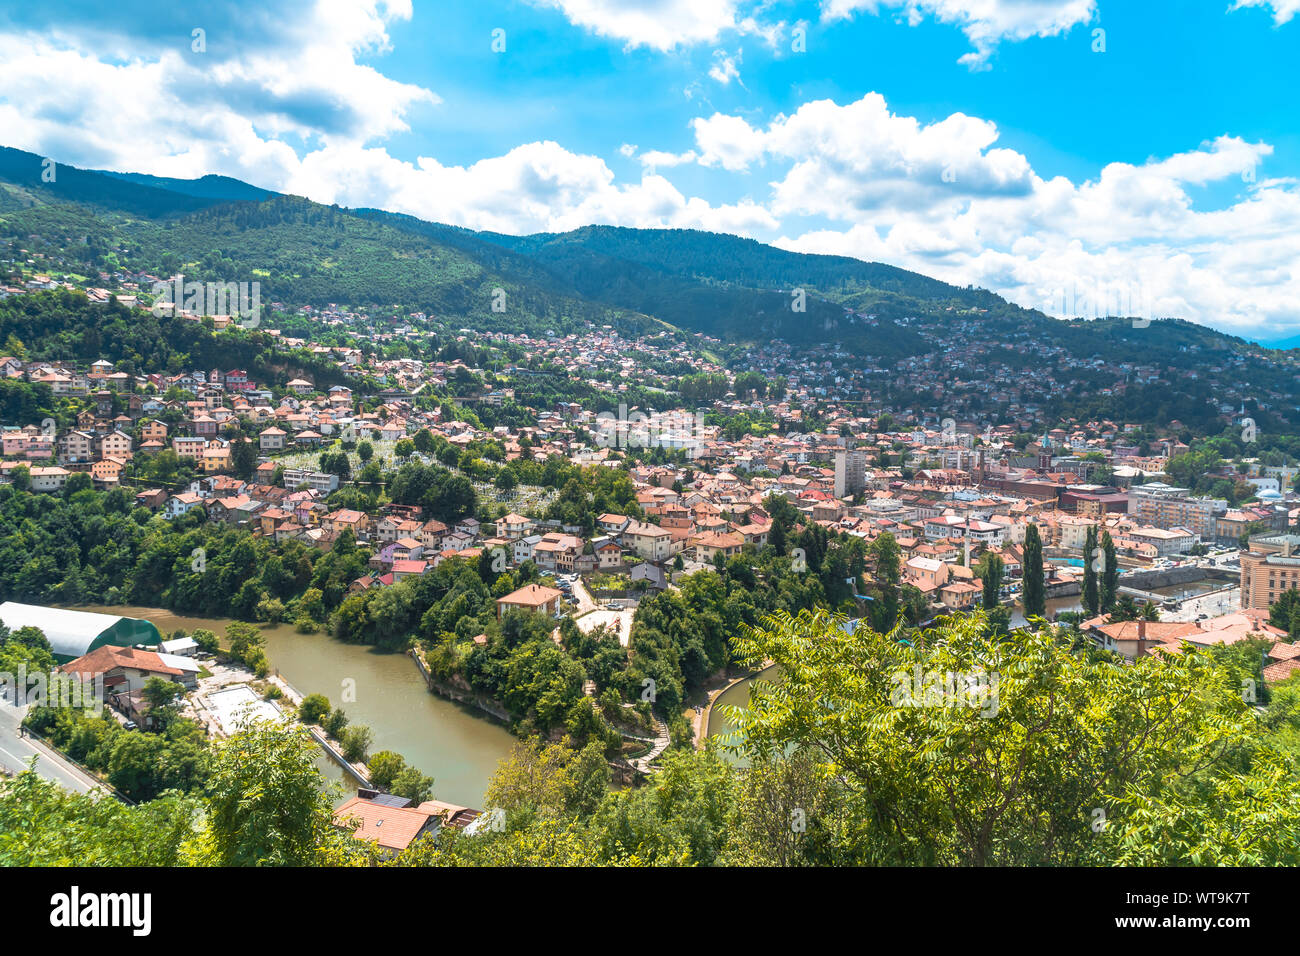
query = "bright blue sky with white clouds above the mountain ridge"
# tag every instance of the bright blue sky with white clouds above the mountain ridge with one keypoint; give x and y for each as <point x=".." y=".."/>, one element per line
<point x="1078" y="157"/>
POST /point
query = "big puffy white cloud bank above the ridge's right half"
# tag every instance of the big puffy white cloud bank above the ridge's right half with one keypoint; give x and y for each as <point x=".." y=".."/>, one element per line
<point x="1134" y="230"/>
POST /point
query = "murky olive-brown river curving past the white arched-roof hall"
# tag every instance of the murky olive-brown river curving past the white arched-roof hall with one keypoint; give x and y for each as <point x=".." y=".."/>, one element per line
<point x="453" y="745"/>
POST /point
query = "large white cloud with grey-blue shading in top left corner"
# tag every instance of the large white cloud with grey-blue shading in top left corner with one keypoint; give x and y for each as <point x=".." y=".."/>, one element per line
<point x="228" y="106"/>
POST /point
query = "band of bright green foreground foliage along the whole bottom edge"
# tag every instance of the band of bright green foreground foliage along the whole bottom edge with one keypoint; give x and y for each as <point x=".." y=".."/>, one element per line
<point x="856" y="756"/>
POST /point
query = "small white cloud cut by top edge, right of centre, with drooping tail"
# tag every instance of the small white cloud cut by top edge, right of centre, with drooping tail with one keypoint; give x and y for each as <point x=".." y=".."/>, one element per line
<point x="985" y="23"/>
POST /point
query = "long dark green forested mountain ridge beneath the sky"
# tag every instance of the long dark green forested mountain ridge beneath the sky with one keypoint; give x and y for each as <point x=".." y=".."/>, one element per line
<point x="304" y="253"/>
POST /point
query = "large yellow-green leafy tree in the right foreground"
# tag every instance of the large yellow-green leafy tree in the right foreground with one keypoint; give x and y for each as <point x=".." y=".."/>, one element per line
<point x="1009" y="765"/>
